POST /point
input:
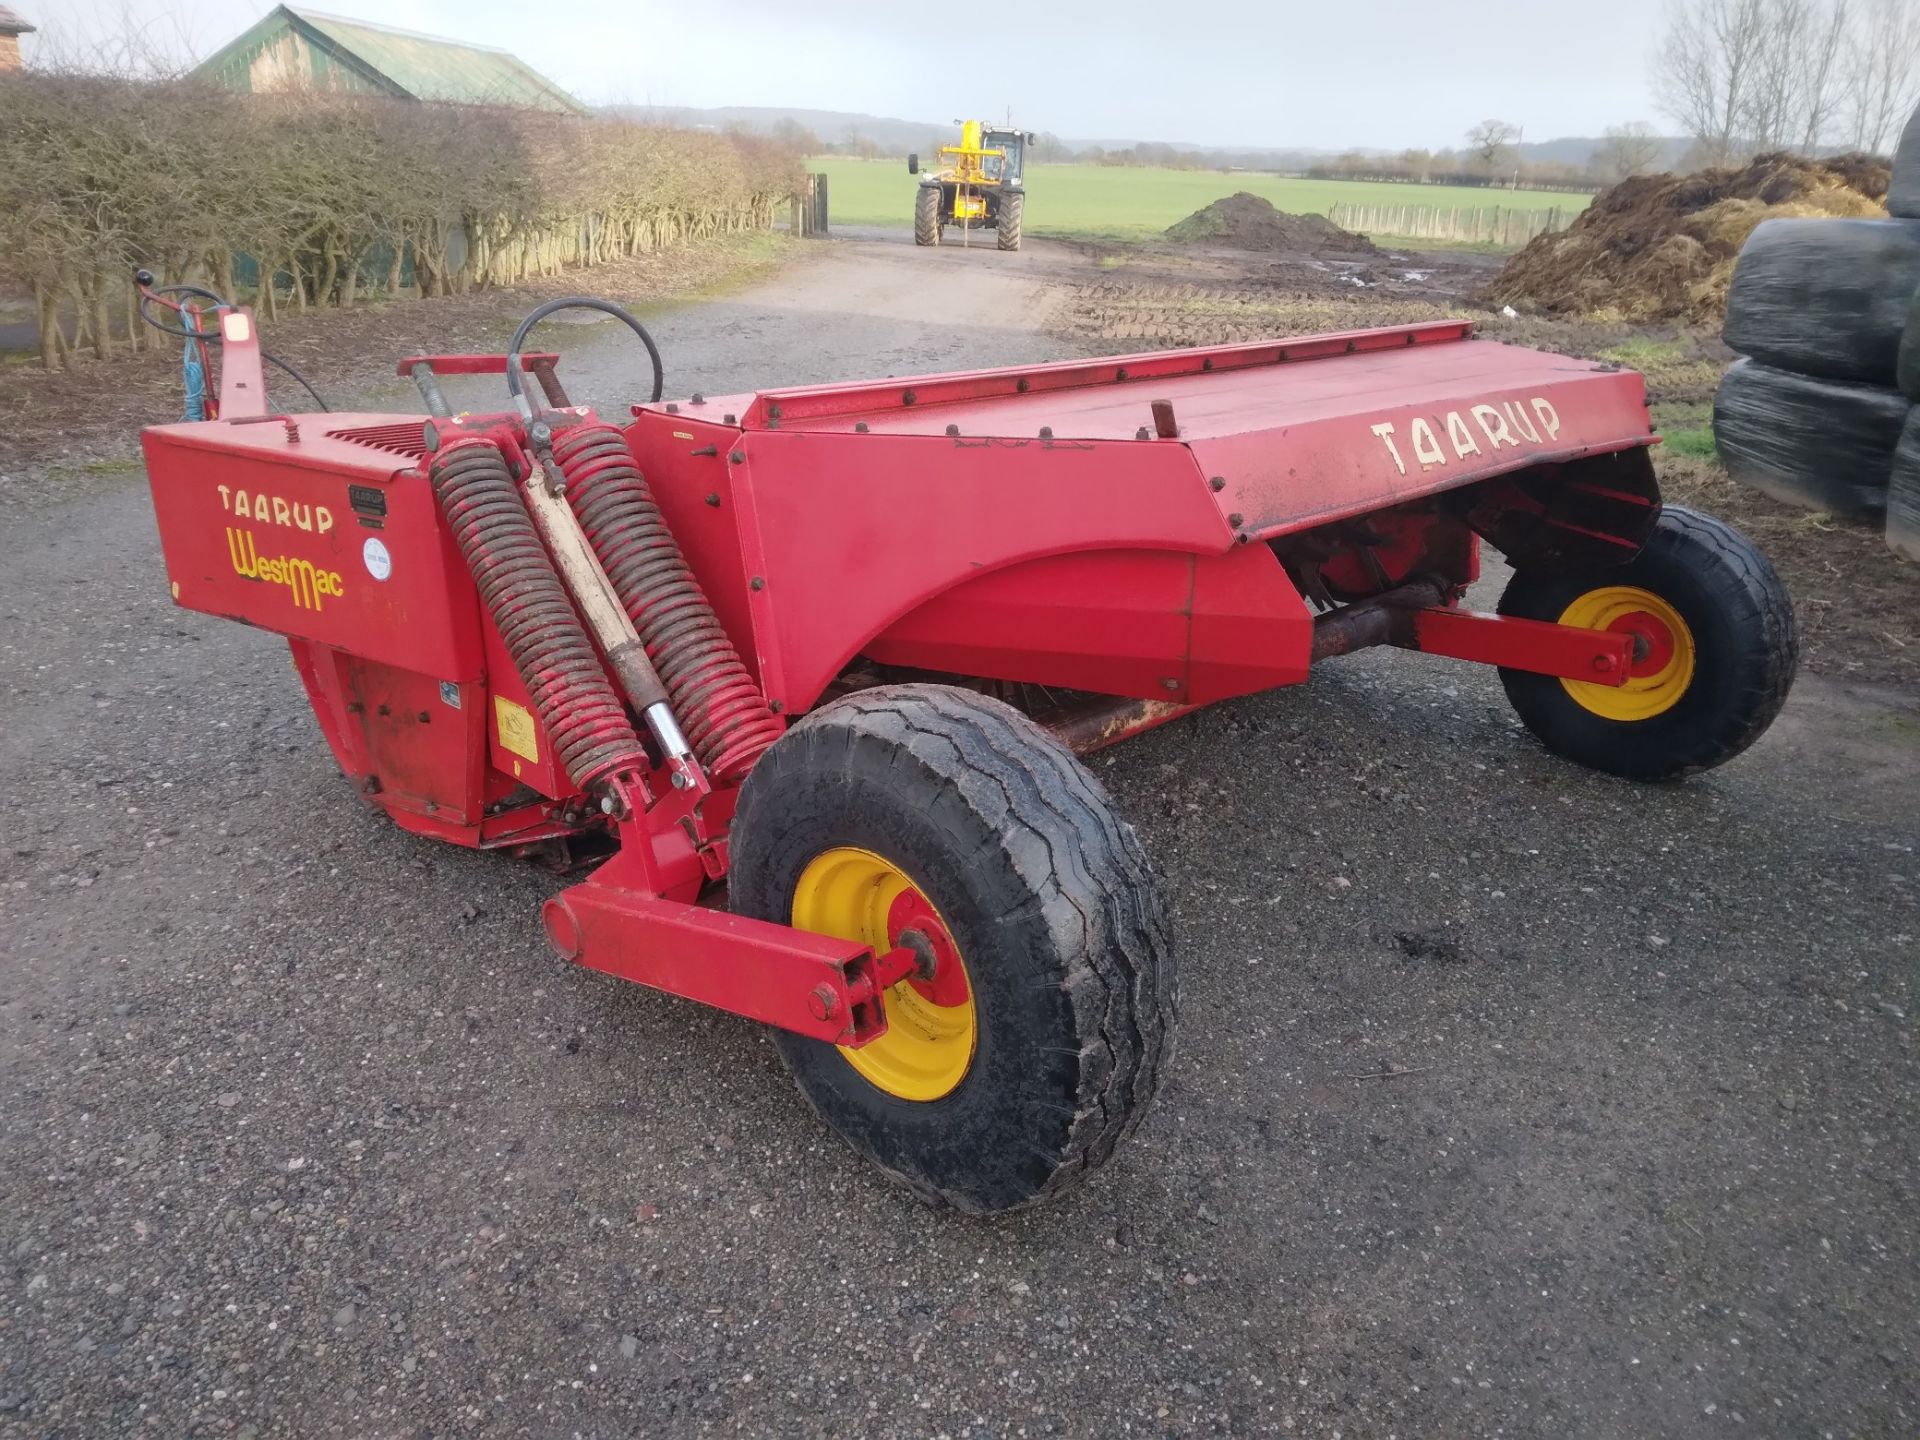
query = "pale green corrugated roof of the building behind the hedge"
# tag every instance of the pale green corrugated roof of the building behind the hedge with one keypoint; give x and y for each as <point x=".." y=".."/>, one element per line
<point x="406" y="64"/>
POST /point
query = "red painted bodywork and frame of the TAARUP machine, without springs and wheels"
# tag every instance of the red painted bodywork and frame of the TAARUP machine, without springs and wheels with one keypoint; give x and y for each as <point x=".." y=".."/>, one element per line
<point x="1093" y="525"/>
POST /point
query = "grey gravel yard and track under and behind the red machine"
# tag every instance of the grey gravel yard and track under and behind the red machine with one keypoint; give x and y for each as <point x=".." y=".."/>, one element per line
<point x="1510" y="1099"/>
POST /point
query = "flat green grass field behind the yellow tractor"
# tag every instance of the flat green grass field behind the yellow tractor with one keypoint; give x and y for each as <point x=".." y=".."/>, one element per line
<point x="1115" y="203"/>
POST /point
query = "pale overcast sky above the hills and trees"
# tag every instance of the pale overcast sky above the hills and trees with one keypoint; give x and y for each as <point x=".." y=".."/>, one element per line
<point x="1245" y="74"/>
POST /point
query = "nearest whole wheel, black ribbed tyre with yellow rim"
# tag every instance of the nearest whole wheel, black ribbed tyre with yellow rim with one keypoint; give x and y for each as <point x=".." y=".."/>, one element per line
<point x="938" y="811"/>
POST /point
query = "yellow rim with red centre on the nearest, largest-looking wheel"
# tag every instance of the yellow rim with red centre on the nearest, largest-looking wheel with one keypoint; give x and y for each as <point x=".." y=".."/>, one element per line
<point x="930" y="1040"/>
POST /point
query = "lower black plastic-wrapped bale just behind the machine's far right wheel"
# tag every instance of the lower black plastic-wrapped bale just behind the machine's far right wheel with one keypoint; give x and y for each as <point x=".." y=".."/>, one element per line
<point x="1823" y="444"/>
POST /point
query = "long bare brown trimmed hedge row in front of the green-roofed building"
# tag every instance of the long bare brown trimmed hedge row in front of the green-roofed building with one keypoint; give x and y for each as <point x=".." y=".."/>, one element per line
<point x="322" y="197"/>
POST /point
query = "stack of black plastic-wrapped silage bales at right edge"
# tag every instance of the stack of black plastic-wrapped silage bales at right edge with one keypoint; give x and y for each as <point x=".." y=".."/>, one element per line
<point x="1827" y="312"/>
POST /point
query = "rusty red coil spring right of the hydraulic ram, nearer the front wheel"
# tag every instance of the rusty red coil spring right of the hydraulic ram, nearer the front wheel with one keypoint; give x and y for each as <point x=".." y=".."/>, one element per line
<point x="713" y="696"/>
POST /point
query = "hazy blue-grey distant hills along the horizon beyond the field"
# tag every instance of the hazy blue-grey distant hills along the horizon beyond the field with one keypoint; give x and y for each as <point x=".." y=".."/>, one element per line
<point x="896" y="137"/>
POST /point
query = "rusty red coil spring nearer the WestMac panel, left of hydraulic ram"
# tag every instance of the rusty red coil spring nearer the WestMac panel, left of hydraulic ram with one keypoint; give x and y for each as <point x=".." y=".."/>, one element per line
<point x="521" y="590"/>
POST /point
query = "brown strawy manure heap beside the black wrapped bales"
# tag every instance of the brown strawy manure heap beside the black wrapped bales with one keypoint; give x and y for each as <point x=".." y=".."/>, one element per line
<point x="1664" y="247"/>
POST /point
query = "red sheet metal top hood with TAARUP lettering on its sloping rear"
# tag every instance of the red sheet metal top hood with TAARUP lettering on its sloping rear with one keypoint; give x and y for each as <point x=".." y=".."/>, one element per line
<point x="1289" y="433"/>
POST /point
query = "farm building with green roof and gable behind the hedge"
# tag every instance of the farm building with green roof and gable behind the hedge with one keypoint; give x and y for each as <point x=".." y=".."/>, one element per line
<point x="302" y="49"/>
